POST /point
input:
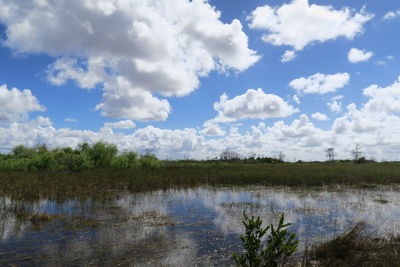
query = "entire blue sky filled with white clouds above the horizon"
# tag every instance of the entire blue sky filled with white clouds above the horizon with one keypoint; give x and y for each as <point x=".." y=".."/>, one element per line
<point x="190" y="79"/>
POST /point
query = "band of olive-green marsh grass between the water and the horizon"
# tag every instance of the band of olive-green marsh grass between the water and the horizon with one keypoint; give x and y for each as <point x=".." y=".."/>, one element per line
<point x="107" y="183"/>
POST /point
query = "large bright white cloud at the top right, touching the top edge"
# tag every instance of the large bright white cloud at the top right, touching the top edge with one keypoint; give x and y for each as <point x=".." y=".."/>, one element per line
<point x="298" y="23"/>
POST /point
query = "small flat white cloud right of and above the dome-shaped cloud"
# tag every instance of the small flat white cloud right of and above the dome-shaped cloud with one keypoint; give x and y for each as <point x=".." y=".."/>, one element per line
<point x="320" y="83"/>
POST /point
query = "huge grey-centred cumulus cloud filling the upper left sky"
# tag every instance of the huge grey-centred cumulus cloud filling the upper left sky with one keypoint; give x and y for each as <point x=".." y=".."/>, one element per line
<point x="160" y="47"/>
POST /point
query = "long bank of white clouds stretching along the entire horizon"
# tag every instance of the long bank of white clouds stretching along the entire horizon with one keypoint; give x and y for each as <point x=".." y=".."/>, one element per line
<point x="375" y="125"/>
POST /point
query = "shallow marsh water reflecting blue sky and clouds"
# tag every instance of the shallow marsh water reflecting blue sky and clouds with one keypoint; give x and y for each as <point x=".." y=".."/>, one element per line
<point x="182" y="227"/>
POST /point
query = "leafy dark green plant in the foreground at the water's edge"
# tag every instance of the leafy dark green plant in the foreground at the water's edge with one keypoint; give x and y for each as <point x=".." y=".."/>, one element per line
<point x="275" y="250"/>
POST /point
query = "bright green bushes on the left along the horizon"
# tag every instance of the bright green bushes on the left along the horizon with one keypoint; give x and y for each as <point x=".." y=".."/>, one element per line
<point x="85" y="156"/>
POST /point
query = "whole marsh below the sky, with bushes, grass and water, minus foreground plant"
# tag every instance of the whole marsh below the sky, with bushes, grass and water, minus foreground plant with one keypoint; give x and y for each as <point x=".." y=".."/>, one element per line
<point x="94" y="205"/>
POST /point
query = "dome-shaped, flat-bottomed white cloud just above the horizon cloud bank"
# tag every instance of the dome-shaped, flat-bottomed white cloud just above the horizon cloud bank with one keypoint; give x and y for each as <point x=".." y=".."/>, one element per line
<point x="253" y="104"/>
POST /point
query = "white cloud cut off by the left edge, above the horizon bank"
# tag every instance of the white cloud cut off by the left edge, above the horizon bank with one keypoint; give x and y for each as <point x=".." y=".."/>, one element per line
<point x="15" y="104"/>
